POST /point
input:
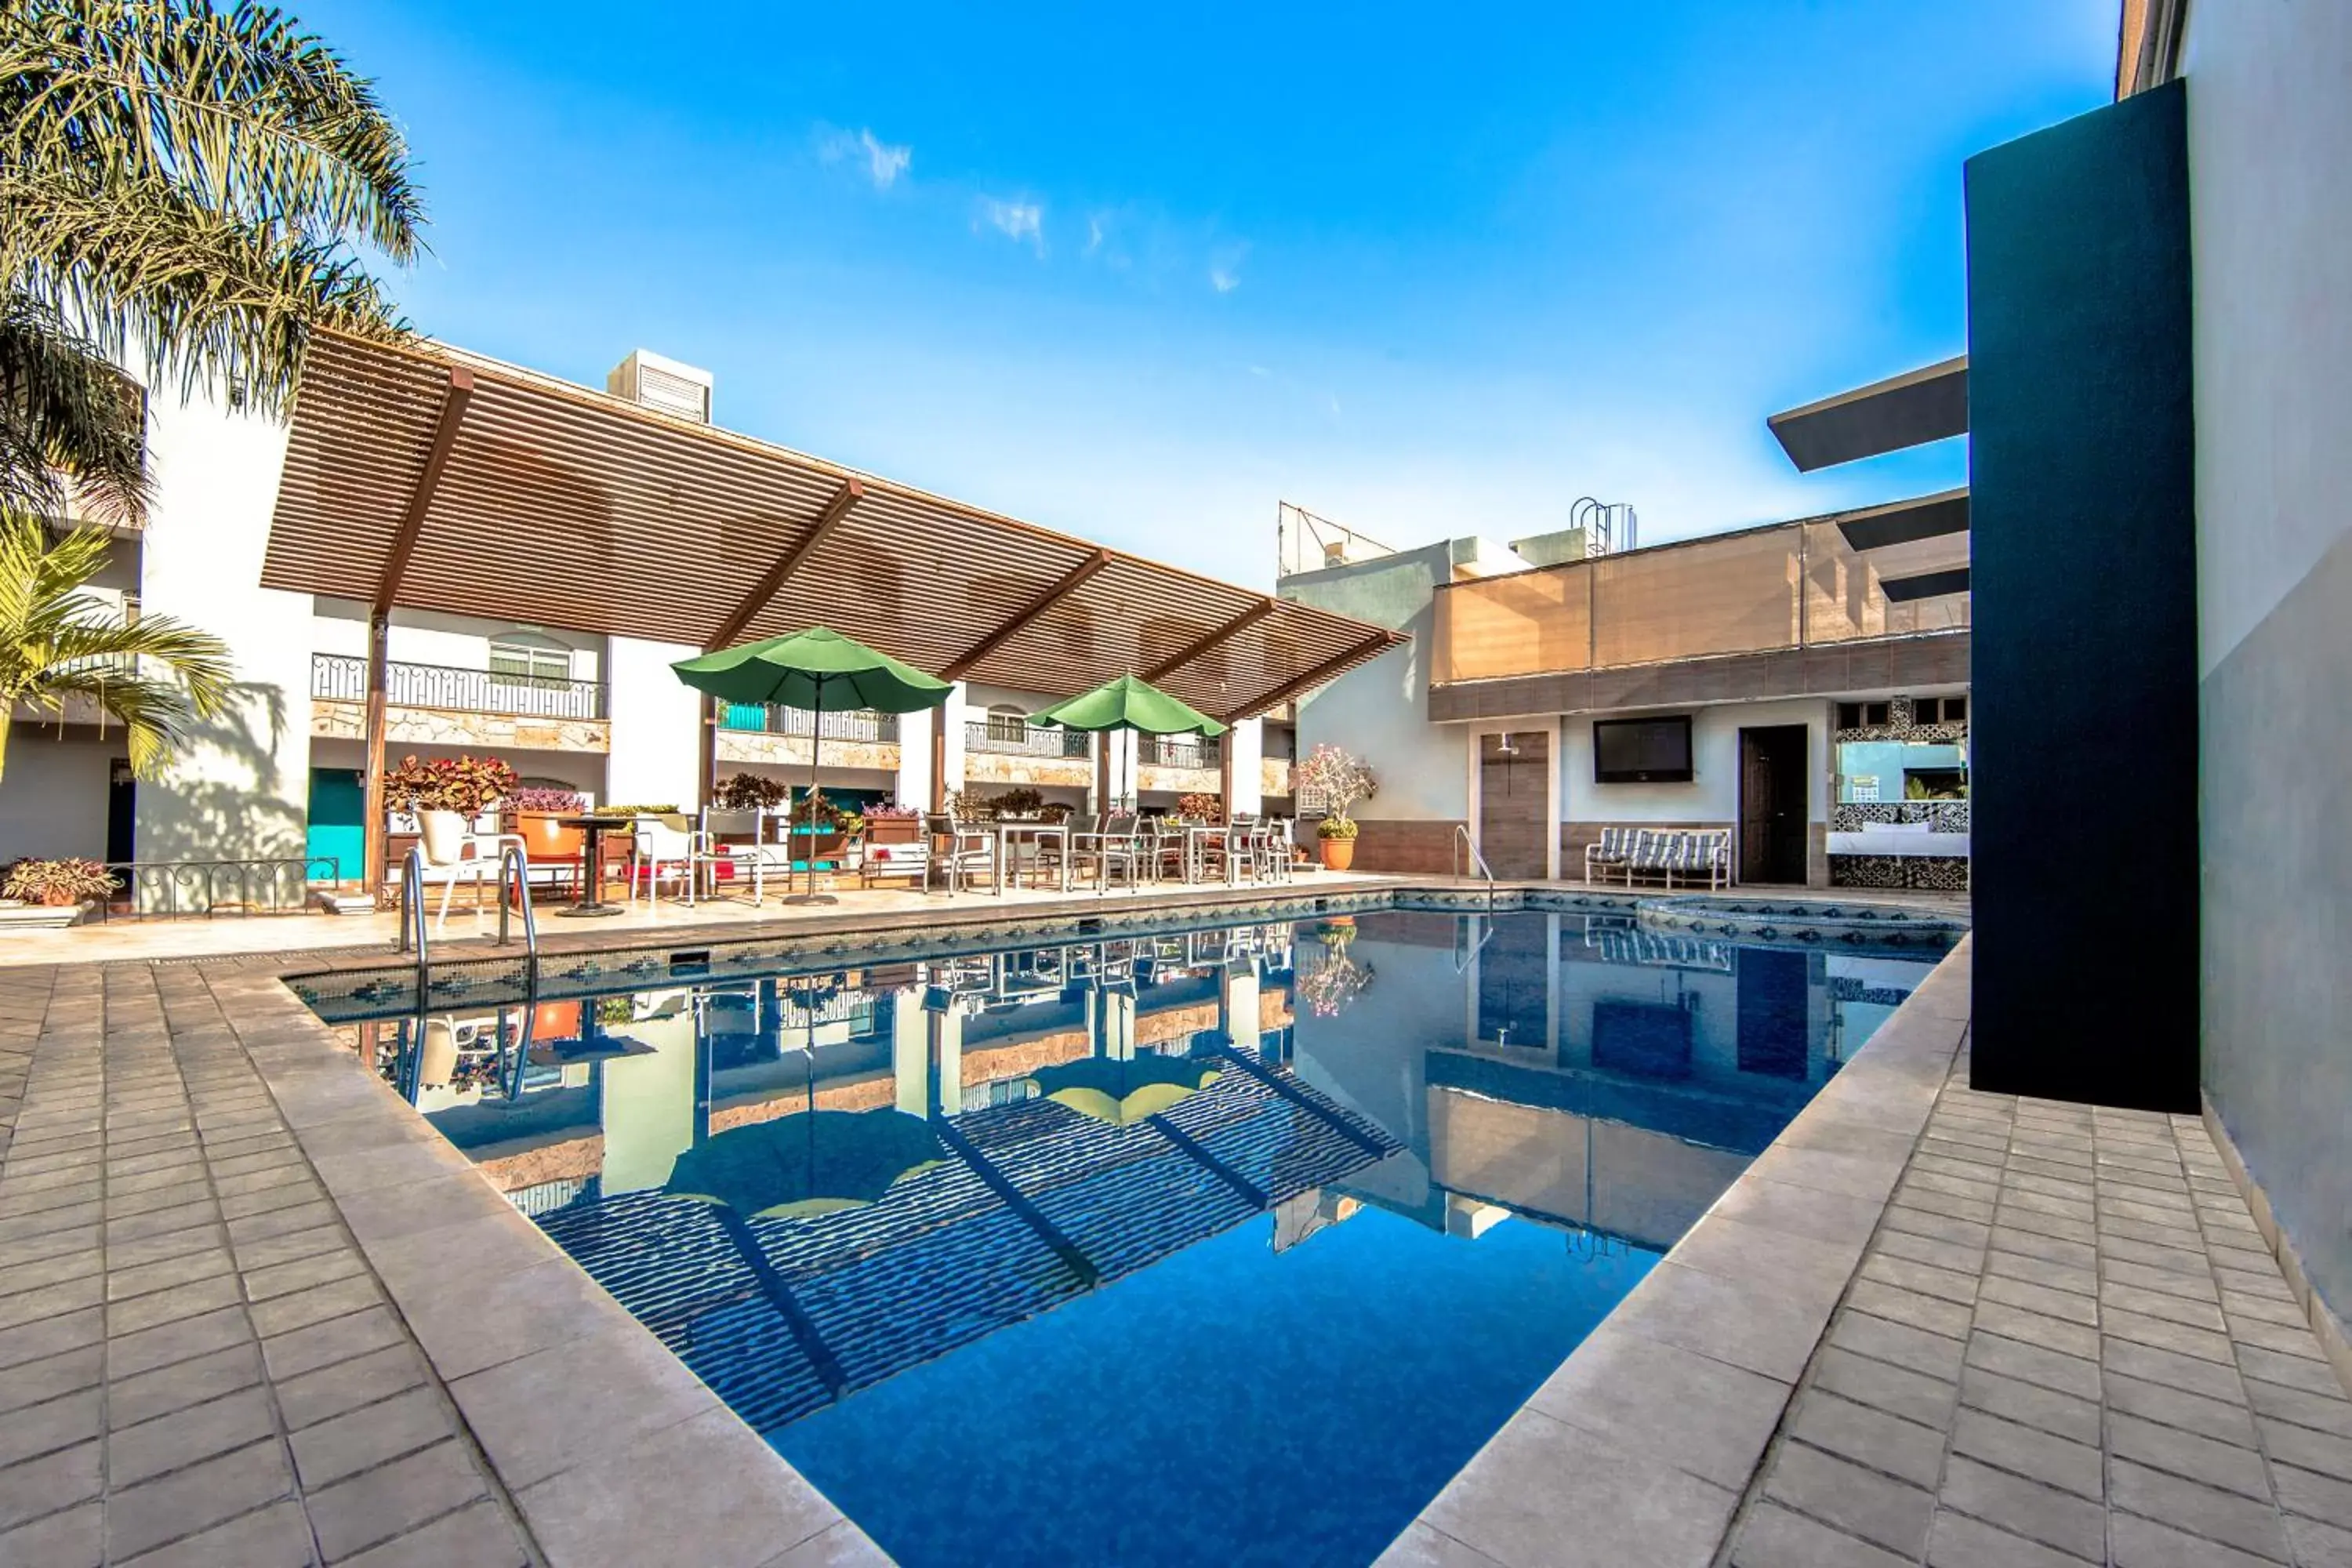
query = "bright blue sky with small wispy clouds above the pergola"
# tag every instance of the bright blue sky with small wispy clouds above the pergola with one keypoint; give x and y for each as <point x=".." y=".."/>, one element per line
<point x="1142" y="272"/>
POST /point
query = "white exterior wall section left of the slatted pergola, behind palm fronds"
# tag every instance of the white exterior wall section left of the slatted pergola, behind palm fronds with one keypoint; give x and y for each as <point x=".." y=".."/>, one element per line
<point x="243" y="784"/>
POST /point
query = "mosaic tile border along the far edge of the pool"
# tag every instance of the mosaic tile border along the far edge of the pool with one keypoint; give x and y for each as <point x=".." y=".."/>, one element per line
<point x="385" y="984"/>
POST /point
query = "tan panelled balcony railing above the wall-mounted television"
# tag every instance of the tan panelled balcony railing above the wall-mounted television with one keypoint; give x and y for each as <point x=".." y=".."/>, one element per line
<point x="1789" y="587"/>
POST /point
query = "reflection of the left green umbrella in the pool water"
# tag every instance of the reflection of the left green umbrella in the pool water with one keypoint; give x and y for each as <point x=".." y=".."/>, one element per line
<point x="806" y="1165"/>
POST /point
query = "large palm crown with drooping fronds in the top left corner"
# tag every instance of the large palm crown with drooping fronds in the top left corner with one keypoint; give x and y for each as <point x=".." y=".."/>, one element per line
<point x="182" y="187"/>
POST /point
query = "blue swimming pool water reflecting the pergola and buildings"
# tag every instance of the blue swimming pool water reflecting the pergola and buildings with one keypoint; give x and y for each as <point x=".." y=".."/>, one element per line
<point x="1196" y="1247"/>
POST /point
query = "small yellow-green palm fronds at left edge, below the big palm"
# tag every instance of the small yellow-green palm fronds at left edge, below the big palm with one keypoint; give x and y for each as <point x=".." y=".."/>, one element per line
<point x="58" y="643"/>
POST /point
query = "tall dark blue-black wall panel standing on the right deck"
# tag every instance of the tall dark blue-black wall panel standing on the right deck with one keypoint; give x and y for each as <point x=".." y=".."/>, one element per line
<point x="2085" y="643"/>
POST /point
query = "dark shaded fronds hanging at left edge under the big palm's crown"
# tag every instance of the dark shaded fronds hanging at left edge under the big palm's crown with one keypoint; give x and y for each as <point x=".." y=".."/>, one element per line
<point x="67" y="415"/>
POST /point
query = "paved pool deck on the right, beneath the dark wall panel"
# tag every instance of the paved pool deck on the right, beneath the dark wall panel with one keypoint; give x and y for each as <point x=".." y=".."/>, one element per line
<point x="1935" y="1327"/>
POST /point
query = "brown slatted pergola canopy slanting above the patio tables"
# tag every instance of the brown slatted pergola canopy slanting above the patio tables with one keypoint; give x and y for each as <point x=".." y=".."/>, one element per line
<point x="427" y="478"/>
